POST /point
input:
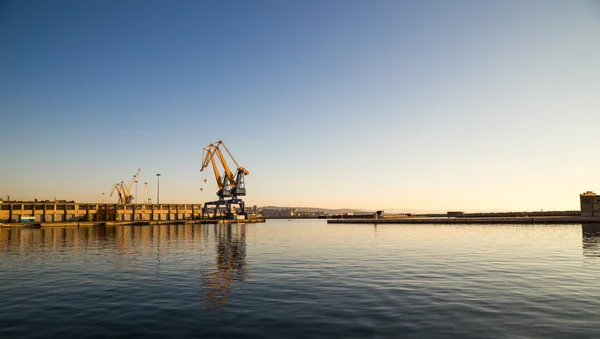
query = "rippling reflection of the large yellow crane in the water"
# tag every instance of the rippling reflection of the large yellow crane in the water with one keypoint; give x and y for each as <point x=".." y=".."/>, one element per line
<point x="230" y="264"/>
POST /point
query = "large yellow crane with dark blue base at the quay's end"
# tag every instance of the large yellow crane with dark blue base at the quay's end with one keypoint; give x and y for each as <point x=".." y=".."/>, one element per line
<point x="231" y="185"/>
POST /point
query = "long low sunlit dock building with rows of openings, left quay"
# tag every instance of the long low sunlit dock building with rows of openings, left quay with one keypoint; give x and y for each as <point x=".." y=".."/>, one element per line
<point x="65" y="212"/>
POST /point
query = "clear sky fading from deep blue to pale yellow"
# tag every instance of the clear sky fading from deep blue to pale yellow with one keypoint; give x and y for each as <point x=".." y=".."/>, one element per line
<point x="394" y="105"/>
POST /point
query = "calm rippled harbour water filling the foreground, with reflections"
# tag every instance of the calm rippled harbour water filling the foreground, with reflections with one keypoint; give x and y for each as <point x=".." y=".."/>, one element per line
<point x="301" y="279"/>
